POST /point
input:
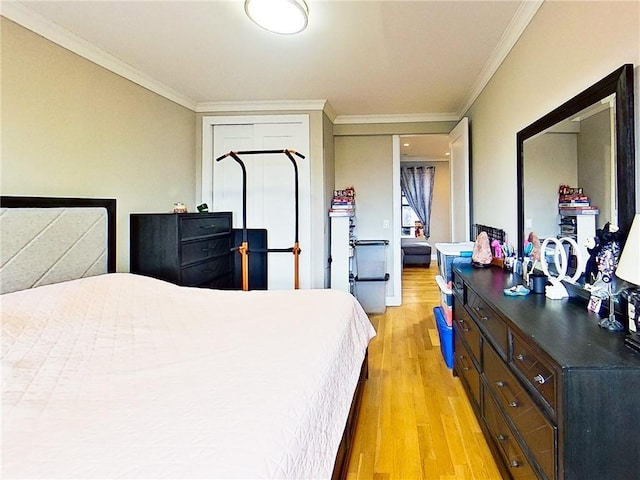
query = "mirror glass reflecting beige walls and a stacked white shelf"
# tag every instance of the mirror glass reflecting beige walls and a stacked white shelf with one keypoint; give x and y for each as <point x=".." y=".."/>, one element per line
<point x="576" y="152"/>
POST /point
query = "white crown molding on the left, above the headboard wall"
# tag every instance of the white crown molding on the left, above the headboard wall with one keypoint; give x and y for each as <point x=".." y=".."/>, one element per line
<point x="31" y="20"/>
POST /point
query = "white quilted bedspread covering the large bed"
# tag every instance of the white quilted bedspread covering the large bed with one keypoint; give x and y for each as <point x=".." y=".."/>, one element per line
<point x="123" y="376"/>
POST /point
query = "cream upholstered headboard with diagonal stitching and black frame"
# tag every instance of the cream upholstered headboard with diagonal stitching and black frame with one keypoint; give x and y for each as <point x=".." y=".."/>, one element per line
<point x="47" y="240"/>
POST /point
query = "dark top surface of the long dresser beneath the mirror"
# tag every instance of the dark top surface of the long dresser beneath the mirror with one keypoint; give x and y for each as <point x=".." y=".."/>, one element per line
<point x="564" y="329"/>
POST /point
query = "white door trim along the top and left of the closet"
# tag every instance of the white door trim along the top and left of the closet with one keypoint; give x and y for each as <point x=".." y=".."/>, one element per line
<point x="208" y="122"/>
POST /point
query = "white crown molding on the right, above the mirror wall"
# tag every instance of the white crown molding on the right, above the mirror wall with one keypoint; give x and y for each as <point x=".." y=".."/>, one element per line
<point x="518" y="24"/>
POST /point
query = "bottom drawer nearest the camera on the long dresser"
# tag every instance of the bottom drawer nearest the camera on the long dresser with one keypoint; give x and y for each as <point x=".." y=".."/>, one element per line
<point x="509" y="448"/>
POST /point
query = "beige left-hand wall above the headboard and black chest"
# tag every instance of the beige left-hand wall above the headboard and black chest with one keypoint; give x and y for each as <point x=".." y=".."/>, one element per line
<point x="72" y="128"/>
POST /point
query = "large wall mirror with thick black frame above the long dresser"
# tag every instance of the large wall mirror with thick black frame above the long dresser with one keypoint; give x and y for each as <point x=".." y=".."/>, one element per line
<point x="586" y="143"/>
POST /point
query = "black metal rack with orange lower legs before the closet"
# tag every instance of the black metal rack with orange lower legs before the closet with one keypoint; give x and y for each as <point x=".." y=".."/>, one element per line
<point x="243" y="248"/>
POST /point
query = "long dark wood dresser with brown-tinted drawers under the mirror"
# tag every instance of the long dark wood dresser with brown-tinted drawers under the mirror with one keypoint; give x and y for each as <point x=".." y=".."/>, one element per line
<point x="557" y="397"/>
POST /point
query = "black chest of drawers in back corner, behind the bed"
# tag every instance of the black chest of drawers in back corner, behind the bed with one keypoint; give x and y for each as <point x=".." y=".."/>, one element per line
<point x="190" y="249"/>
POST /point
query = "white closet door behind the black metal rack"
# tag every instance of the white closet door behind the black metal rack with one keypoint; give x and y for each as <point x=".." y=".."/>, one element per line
<point x="270" y="191"/>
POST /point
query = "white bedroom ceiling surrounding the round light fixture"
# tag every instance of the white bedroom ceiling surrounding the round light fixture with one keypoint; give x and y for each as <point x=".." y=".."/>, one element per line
<point x="382" y="59"/>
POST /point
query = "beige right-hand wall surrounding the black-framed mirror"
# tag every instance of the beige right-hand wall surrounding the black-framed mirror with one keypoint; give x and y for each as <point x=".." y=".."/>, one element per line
<point x="567" y="47"/>
